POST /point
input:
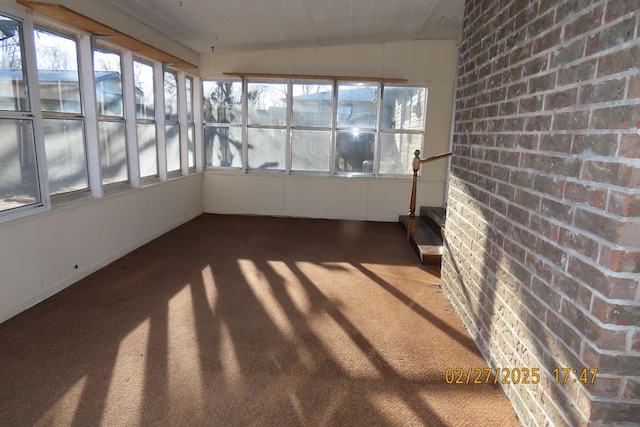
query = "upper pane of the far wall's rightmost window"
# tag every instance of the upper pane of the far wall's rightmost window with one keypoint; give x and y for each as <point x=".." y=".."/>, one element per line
<point x="403" y="108"/>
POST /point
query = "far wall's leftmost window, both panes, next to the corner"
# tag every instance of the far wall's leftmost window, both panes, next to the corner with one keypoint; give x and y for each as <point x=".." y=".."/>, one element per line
<point x="222" y="109"/>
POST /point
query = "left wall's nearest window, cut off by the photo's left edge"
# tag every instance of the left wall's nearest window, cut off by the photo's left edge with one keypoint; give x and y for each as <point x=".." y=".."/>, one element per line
<point x="19" y="179"/>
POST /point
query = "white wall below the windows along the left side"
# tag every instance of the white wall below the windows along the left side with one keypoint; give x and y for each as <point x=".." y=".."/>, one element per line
<point x="38" y="254"/>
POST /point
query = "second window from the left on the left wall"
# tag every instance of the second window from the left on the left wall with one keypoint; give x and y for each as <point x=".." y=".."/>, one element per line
<point x="59" y="84"/>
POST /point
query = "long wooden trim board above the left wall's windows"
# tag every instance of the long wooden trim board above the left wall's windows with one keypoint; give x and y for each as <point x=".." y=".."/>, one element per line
<point x="77" y="20"/>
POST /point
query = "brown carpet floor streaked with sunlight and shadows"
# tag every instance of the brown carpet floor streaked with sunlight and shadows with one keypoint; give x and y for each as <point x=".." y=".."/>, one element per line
<point x="249" y="321"/>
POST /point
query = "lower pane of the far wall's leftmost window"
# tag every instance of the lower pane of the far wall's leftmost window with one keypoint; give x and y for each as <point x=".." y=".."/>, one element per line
<point x="223" y="147"/>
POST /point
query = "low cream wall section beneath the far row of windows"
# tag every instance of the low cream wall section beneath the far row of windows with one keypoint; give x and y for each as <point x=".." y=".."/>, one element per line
<point x="315" y="197"/>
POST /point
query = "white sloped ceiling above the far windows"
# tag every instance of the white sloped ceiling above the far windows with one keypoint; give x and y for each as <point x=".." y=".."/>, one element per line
<point x="232" y="25"/>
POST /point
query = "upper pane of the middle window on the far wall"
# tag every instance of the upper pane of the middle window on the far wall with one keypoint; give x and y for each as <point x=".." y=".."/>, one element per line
<point x="312" y="104"/>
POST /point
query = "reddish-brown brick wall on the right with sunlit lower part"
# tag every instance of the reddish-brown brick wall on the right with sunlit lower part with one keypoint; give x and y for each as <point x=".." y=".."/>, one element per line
<point x="542" y="257"/>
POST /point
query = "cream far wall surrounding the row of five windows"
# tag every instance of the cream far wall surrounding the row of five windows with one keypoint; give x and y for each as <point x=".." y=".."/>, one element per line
<point x="421" y="62"/>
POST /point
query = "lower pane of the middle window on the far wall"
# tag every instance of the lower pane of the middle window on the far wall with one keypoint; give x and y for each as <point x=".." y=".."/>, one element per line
<point x="310" y="150"/>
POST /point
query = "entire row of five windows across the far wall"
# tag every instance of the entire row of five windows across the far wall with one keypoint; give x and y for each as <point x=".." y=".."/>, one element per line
<point x="327" y="127"/>
